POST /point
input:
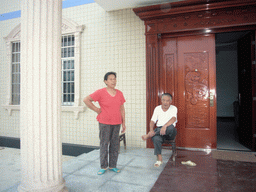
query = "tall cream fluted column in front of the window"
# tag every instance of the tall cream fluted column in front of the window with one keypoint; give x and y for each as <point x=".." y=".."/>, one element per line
<point x="41" y="150"/>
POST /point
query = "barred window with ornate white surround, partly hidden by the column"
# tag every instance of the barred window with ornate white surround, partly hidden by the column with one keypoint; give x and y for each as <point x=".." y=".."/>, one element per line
<point x="70" y="61"/>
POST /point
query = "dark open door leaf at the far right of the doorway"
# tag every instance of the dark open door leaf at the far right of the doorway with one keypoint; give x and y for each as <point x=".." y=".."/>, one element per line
<point x="247" y="90"/>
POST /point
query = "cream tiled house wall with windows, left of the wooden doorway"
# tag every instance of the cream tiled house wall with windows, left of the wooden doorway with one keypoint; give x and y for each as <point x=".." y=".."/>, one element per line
<point x="93" y="42"/>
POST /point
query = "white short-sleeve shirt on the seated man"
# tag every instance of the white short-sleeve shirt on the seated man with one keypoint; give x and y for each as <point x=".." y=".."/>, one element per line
<point x="162" y="117"/>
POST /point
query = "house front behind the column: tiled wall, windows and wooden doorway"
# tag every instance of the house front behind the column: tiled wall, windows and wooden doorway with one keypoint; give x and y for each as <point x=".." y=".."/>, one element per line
<point x="132" y="43"/>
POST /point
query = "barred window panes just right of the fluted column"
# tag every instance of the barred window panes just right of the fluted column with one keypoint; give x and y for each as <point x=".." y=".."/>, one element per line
<point x="68" y="69"/>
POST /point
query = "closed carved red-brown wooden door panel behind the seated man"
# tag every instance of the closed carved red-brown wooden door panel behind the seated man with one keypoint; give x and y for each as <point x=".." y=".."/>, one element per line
<point x="187" y="71"/>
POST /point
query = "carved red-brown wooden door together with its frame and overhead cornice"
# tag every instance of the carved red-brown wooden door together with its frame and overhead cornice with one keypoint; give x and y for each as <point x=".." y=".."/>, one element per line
<point x="184" y="62"/>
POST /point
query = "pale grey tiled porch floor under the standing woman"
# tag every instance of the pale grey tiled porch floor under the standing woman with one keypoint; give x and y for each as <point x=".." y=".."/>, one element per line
<point x="80" y="173"/>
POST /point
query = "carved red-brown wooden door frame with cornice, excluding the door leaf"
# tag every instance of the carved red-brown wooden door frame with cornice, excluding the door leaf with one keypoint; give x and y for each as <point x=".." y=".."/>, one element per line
<point x="183" y="18"/>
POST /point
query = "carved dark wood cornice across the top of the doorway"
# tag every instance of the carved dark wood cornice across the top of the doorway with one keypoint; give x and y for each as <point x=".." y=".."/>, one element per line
<point x="205" y="16"/>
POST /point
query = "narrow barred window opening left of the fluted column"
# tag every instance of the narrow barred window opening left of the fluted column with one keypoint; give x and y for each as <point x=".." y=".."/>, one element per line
<point x="15" y="73"/>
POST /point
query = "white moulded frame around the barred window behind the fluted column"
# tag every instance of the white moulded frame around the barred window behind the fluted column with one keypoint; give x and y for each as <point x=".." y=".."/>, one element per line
<point x="68" y="27"/>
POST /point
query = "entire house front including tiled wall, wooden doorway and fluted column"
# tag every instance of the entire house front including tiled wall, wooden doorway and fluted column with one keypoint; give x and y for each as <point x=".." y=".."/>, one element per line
<point x="154" y="49"/>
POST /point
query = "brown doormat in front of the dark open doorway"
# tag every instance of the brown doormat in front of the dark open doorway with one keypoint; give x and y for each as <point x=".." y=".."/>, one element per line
<point x="234" y="156"/>
